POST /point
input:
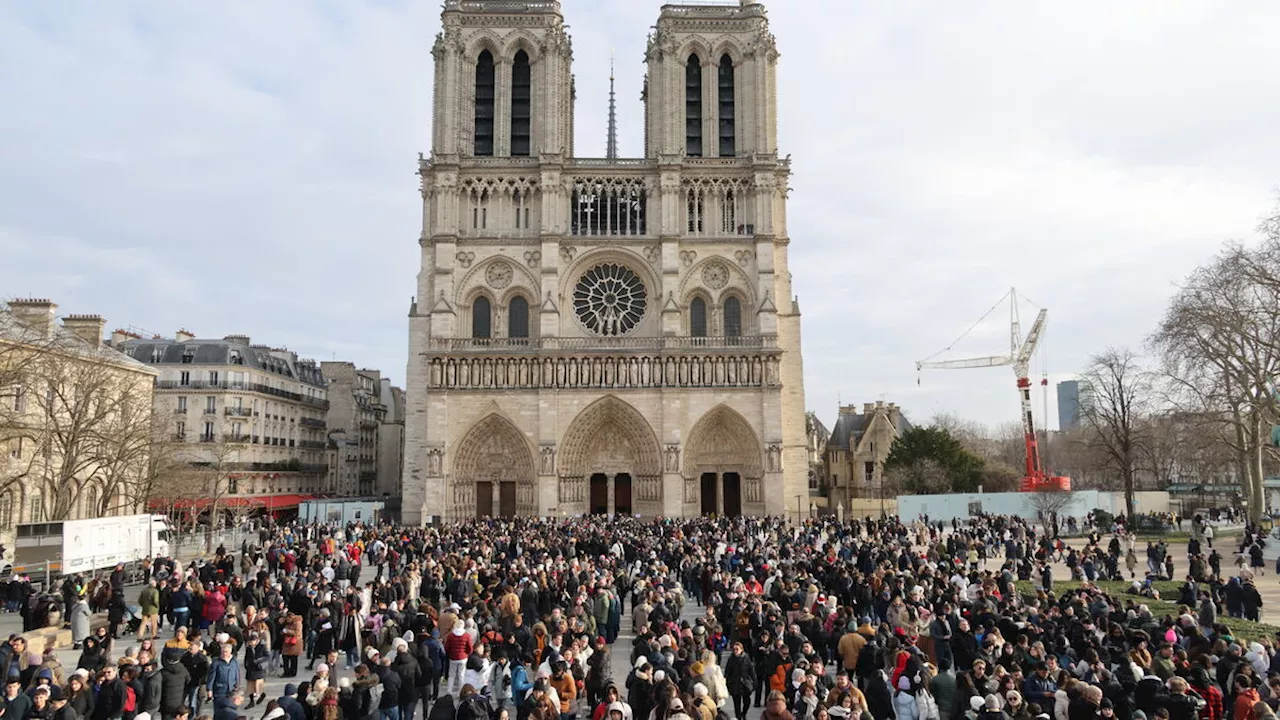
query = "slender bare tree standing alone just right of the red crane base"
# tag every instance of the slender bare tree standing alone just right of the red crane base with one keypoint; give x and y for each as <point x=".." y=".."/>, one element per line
<point x="1117" y="412"/>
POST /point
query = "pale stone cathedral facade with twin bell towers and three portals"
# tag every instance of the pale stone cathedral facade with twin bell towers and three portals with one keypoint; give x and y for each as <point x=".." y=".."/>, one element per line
<point x="604" y="335"/>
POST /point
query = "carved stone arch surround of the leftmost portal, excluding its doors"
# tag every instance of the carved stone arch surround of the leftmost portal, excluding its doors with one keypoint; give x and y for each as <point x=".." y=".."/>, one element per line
<point x="493" y="452"/>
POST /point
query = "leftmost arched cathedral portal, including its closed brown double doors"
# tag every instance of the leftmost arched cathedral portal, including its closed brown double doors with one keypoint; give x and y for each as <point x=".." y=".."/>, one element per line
<point x="493" y="472"/>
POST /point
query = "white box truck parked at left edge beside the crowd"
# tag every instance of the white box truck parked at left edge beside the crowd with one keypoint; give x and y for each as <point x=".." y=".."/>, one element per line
<point x="84" y="546"/>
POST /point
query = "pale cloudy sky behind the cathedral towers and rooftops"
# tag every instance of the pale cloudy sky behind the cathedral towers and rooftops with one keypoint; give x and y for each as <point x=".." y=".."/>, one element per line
<point x="248" y="167"/>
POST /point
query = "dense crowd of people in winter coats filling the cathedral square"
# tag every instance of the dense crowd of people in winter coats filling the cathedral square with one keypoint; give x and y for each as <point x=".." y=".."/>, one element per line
<point x="716" y="618"/>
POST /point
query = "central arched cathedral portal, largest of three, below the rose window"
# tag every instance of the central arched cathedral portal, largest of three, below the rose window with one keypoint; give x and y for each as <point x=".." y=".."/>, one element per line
<point x="611" y="463"/>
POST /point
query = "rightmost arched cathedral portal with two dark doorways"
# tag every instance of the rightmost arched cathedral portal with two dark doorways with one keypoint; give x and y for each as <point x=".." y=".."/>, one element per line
<point x="724" y="466"/>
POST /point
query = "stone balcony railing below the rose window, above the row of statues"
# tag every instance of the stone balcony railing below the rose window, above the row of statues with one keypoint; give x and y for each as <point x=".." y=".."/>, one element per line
<point x="602" y="344"/>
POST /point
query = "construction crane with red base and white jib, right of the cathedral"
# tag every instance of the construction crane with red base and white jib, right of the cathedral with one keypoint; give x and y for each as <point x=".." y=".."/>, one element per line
<point x="1021" y="352"/>
